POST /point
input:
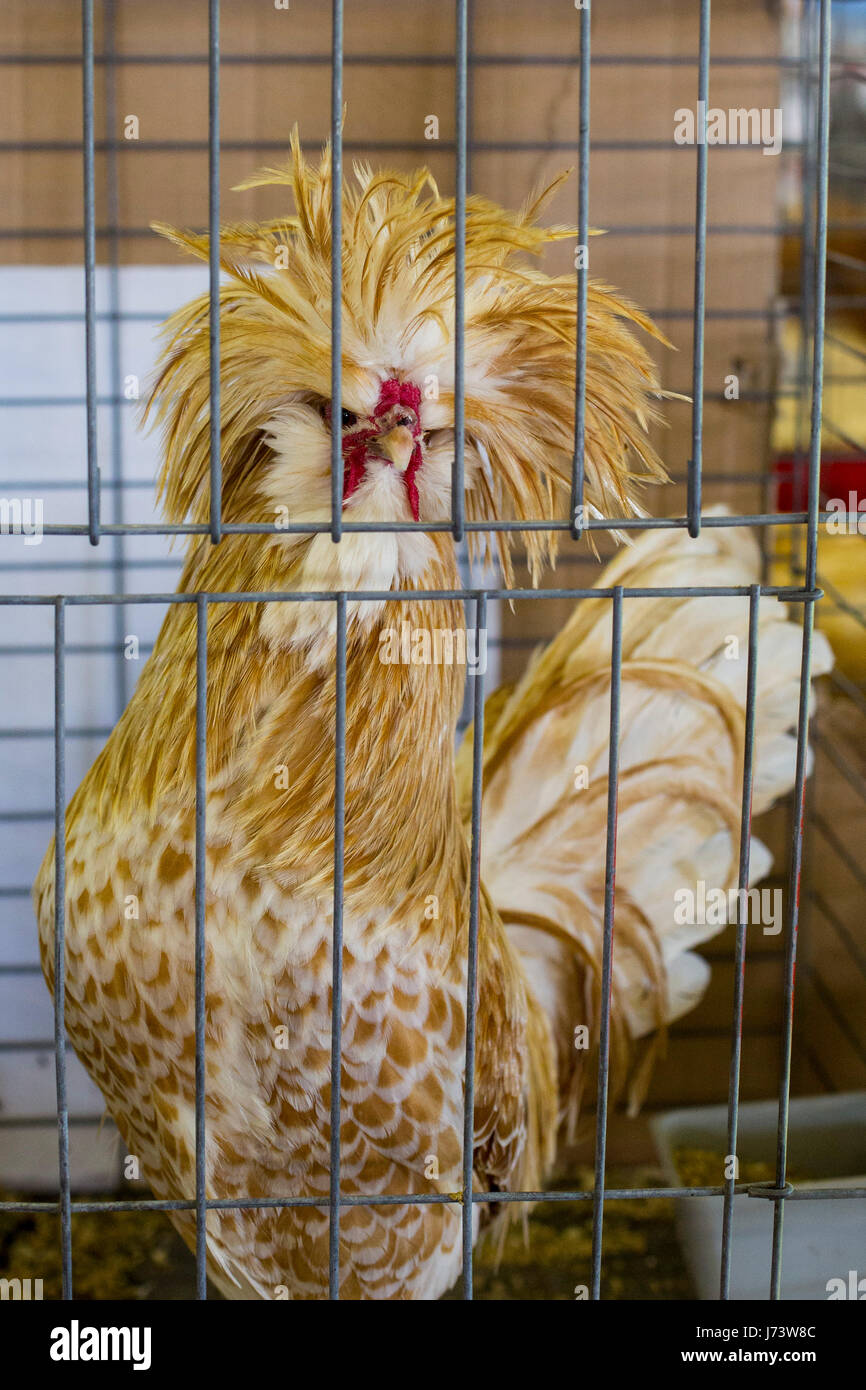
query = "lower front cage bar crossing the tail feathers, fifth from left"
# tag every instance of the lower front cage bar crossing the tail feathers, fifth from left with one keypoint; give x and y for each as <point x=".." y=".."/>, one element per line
<point x="604" y="1047"/>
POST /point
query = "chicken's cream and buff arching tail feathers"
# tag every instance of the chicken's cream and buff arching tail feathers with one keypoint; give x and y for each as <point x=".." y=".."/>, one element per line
<point x="680" y="786"/>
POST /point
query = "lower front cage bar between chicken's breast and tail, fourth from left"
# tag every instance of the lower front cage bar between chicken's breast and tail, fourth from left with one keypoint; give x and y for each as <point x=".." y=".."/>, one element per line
<point x="472" y="968"/>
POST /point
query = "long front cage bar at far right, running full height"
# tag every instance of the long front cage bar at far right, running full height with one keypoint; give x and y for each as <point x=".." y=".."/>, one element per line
<point x="806" y="675"/>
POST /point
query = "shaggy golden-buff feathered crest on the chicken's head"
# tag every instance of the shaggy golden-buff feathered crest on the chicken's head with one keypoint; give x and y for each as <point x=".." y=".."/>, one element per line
<point x="398" y="297"/>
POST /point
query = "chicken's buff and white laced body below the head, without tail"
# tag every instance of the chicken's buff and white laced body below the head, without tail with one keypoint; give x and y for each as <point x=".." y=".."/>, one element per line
<point x="269" y="928"/>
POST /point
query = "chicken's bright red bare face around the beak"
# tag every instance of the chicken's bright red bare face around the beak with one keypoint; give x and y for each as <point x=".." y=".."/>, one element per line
<point x="393" y="434"/>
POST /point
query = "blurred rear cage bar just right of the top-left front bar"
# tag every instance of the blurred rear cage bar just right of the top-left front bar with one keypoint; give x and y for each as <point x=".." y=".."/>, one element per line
<point x="119" y="543"/>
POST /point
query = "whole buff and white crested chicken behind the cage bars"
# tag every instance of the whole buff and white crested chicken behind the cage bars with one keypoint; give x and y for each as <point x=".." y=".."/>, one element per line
<point x="272" y="700"/>
